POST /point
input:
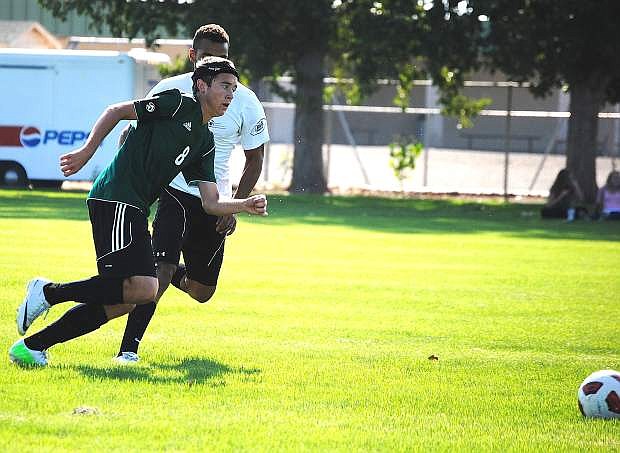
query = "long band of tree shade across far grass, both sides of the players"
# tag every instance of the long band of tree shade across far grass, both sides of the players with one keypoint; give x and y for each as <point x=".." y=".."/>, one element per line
<point x="390" y="215"/>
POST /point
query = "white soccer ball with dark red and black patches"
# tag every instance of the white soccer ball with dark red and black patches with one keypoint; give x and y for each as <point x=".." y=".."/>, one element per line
<point x="599" y="395"/>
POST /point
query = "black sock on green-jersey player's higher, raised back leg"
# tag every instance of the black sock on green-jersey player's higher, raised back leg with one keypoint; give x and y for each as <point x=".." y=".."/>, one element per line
<point x="95" y="290"/>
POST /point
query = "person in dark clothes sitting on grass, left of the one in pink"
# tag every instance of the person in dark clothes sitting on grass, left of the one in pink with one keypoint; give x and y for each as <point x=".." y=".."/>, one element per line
<point x="565" y="199"/>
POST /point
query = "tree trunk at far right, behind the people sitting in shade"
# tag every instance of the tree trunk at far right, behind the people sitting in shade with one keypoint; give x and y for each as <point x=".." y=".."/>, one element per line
<point x="586" y="99"/>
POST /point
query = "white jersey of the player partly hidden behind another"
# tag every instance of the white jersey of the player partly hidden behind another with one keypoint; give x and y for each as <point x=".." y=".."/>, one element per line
<point x="244" y="122"/>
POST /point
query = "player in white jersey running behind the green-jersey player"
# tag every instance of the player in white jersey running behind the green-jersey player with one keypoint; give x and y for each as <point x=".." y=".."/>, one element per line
<point x="181" y="225"/>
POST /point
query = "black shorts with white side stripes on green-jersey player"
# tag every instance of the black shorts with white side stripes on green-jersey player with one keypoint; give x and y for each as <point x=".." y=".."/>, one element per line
<point x="122" y="239"/>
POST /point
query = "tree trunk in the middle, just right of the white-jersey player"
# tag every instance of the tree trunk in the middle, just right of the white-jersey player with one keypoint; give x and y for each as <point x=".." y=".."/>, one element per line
<point x="308" y="176"/>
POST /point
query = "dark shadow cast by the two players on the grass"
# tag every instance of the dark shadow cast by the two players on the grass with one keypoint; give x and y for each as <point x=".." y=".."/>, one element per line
<point x="189" y="371"/>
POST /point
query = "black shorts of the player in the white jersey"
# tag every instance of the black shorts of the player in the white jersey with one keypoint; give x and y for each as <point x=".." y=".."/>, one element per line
<point x="182" y="225"/>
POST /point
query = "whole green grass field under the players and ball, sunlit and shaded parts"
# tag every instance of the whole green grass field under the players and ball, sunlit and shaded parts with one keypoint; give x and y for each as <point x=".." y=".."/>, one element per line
<point x="320" y="334"/>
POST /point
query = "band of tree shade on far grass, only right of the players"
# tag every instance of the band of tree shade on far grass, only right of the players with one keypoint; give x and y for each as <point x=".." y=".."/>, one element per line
<point x="445" y="216"/>
